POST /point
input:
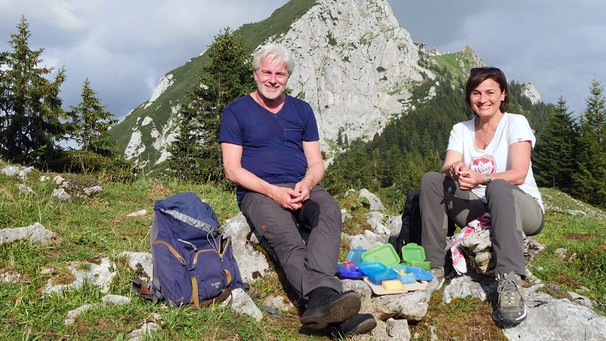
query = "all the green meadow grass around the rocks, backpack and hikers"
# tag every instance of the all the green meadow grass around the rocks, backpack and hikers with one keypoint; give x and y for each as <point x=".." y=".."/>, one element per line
<point x="91" y="228"/>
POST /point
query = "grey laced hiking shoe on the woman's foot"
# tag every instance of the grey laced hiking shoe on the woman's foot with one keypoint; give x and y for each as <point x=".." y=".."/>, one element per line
<point x="511" y="307"/>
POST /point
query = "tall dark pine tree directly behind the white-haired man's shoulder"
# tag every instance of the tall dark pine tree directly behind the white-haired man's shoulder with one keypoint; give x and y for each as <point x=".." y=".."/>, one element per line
<point x="196" y="153"/>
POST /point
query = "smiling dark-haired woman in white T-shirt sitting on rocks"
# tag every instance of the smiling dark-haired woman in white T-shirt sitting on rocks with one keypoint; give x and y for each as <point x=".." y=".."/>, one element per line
<point x="487" y="169"/>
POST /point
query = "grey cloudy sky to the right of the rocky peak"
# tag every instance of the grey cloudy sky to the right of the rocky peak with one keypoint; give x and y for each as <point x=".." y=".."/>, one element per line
<point x="557" y="46"/>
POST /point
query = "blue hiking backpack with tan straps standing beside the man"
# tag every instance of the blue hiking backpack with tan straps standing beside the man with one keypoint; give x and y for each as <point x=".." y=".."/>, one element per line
<point x="193" y="261"/>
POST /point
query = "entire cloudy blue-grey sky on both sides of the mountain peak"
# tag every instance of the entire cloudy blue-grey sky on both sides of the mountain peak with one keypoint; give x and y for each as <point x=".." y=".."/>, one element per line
<point x="124" y="47"/>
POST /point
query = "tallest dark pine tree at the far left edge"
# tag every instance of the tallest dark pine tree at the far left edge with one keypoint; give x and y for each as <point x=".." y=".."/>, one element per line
<point x="30" y="116"/>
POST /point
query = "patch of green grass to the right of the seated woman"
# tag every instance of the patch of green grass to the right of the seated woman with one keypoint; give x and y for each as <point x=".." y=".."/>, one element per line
<point x="575" y="255"/>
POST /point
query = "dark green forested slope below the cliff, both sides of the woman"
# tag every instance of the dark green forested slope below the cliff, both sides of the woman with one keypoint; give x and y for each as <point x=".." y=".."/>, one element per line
<point x="570" y="152"/>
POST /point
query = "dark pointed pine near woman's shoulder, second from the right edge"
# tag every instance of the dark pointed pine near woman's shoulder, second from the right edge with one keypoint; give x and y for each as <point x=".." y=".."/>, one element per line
<point x="553" y="159"/>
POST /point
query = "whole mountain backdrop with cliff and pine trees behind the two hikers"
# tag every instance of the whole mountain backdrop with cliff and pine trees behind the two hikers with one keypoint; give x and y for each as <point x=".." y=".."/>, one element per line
<point x="570" y="153"/>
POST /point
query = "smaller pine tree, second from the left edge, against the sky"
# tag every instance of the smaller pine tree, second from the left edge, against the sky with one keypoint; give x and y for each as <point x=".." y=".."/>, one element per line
<point x="90" y="123"/>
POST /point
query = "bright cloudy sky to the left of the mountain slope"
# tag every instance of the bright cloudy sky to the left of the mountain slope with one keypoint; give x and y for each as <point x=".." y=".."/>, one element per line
<point x="123" y="47"/>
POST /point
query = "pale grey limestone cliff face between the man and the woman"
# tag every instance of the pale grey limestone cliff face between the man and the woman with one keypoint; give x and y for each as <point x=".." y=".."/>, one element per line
<point x="356" y="65"/>
